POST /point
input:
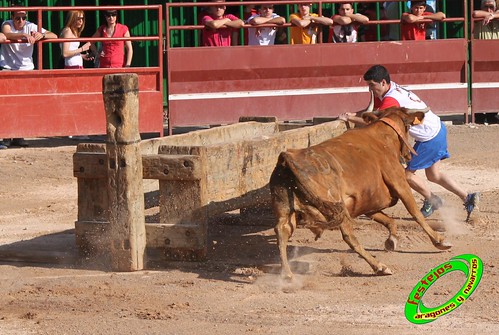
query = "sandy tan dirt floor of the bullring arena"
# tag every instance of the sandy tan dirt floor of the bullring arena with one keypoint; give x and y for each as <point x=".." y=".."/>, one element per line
<point x="238" y="291"/>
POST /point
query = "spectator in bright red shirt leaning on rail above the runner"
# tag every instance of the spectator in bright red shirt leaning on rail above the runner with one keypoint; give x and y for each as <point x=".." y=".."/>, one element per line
<point x="412" y="27"/>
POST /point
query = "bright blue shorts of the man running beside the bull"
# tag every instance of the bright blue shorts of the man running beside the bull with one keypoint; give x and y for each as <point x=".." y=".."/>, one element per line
<point x="429" y="152"/>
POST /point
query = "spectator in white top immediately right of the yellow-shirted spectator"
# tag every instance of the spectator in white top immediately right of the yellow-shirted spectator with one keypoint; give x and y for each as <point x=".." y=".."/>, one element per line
<point x="346" y="24"/>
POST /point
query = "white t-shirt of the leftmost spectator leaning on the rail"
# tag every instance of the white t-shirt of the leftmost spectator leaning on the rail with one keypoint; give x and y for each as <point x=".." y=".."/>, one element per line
<point x="18" y="56"/>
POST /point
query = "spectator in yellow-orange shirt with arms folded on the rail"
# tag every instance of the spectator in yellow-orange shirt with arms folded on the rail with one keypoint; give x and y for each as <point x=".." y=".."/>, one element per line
<point x="305" y="25"/>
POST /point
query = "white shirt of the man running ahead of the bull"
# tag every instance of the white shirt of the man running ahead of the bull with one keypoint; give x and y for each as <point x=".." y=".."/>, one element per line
<point x="431" y="124"/>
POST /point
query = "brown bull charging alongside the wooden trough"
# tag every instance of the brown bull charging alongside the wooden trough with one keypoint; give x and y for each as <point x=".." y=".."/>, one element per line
<point x="325" y="186"/>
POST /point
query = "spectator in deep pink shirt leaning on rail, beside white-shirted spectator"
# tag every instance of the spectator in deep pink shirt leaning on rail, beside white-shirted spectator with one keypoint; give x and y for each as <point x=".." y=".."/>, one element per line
<point x="220" y="28"/>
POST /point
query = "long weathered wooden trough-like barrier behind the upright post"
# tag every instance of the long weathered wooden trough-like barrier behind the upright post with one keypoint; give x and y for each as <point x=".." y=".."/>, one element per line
<point x="201" y="174"/>
